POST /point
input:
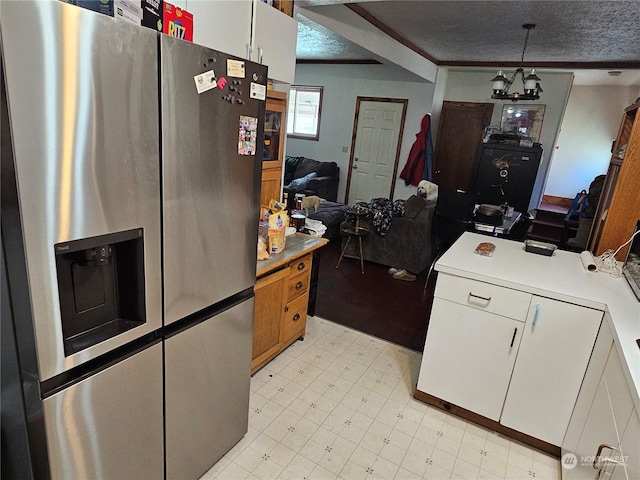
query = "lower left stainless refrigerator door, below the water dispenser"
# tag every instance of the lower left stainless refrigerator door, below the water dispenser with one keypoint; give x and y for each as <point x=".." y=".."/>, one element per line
<point x="109" y="425"/>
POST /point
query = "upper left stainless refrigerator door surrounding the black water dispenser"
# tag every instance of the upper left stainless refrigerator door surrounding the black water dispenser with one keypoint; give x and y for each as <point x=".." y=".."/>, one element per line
<point x="83" y="106"/>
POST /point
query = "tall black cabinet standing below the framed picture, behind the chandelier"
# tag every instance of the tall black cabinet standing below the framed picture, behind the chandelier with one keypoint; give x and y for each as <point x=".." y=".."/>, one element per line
<point x="506" y="173"/>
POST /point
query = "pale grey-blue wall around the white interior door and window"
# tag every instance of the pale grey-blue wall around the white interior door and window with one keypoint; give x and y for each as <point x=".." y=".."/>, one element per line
<point x="342" y="85"/>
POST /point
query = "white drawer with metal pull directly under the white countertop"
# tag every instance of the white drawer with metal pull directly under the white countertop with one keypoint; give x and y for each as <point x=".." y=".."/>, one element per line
<point x="483" y="296"/>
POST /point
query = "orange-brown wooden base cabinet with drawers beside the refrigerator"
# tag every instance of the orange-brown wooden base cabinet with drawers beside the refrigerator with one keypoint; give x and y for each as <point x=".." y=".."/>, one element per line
<point x="281" y="299"/>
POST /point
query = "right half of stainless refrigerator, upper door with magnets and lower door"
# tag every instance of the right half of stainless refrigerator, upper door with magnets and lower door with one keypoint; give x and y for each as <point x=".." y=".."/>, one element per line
<point x="212" y="124"/>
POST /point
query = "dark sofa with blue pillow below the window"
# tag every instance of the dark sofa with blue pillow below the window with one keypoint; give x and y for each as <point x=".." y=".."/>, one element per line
<point x="324" y="184"/>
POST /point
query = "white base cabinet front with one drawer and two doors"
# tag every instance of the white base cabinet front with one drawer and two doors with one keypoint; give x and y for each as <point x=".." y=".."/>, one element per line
<point x="509" y="356"/>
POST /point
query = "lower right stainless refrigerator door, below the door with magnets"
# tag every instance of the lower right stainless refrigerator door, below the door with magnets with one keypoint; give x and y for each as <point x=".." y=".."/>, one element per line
<point x="207" y="376"/>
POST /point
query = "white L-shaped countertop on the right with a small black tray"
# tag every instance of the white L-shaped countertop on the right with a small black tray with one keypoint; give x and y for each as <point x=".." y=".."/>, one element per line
<point x="561" y="277"/>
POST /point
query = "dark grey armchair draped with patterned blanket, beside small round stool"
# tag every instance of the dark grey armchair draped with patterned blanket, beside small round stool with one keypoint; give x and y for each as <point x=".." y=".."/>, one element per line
<point x="407" y="244"/>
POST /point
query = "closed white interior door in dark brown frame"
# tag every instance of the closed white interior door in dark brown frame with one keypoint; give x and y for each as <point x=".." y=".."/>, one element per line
<point x="379" y="125"/>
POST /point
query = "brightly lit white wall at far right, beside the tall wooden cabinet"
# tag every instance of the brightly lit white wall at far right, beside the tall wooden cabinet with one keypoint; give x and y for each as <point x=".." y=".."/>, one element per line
<point x="589" y="127"/>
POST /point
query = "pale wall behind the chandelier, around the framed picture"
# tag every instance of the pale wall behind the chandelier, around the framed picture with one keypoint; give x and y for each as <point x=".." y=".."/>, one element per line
<point x="475" y="86"/>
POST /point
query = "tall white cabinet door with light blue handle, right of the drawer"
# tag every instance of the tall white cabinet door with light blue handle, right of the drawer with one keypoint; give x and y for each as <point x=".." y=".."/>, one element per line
<point x="552" y="360"/>
